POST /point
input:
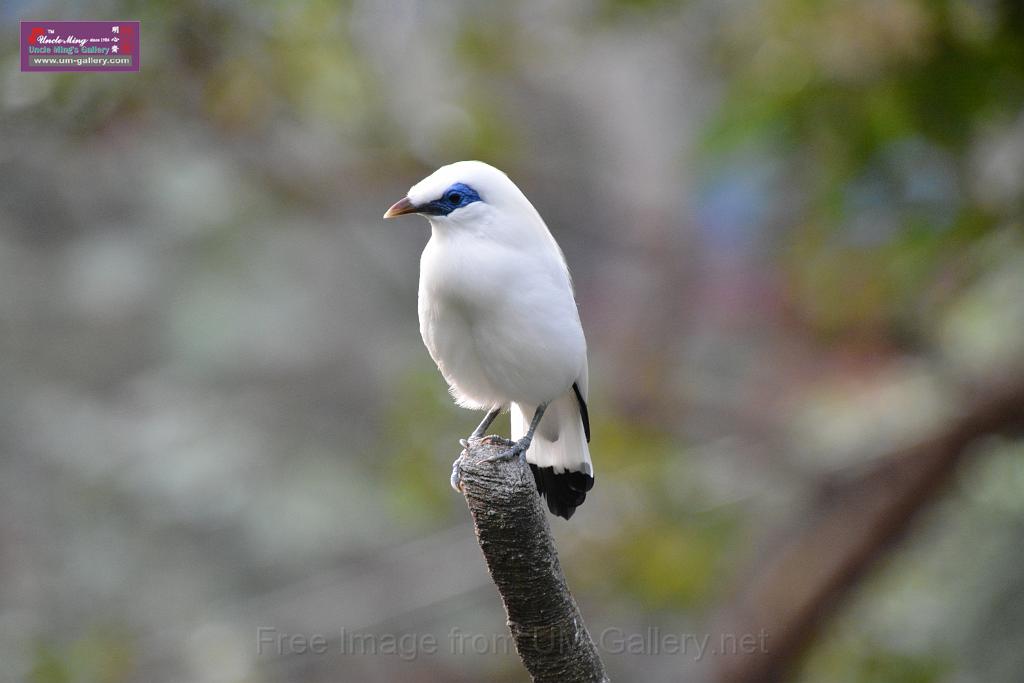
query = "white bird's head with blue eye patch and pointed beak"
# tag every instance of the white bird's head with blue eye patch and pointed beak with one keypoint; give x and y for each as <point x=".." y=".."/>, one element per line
<point x="457" y="193"/>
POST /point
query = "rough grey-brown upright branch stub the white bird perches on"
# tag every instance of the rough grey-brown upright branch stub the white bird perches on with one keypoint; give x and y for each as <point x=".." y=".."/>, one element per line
<point x="513" y="529"/>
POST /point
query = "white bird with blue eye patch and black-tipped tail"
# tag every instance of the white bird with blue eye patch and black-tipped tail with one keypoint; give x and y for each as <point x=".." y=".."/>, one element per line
<point x="499" y="318"/>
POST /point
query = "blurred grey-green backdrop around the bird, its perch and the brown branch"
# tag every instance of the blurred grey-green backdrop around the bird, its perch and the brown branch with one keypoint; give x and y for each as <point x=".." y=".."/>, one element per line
<point x="795" y="230"/>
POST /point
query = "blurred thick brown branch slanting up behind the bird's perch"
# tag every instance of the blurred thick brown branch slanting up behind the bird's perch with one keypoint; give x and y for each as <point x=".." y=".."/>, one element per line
<point x="793" y="590"/>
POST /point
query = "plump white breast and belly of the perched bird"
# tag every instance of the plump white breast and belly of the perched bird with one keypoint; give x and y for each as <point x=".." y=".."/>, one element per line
<point x="499" y="320"/>
